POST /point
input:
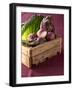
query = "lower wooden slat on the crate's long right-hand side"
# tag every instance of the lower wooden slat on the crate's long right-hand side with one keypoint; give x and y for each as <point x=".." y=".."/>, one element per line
<point x="49" y="53"/>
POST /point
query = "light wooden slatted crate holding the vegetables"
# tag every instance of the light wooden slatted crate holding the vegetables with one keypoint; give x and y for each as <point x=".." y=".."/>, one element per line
<point x="37" y="54"/>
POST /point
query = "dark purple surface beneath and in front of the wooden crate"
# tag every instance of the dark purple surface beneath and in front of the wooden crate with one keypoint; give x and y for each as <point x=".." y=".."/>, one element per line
<point x="52" y="67"/>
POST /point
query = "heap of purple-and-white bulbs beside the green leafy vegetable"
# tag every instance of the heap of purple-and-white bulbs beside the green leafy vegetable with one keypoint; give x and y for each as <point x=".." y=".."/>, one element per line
<point x="46" y="31"/>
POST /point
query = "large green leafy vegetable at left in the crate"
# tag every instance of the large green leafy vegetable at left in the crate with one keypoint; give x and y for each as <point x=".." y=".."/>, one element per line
<point x="31" y="26"/>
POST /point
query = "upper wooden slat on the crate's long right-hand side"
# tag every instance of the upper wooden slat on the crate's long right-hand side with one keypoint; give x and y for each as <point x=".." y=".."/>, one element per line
<point x="43" y="47"/>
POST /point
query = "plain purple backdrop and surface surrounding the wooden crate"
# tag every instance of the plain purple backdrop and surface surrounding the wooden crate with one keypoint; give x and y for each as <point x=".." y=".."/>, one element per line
<point x="55" y="65"/>
